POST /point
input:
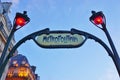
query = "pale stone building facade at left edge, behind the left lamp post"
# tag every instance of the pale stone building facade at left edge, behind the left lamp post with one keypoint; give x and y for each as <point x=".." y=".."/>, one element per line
<point x="5" y="28"/>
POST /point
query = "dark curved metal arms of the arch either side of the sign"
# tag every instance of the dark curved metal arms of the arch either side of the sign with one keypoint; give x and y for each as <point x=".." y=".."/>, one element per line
<point x="45" y="31"/>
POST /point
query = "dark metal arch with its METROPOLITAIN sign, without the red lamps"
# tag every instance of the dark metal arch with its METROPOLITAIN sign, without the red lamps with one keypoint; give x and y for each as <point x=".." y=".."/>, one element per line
<point x="61" y="39"/>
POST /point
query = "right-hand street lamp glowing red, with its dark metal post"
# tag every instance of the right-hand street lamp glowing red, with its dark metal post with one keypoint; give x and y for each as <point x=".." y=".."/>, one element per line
<point x="99" y="20"/>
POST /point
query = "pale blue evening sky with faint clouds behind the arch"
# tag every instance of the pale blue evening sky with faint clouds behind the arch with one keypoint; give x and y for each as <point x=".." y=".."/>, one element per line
<point x="88" y="62"/>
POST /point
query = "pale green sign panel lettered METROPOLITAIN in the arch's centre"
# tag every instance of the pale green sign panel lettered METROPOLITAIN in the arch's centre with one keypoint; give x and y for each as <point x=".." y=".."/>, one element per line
<point x="60" y="40"/>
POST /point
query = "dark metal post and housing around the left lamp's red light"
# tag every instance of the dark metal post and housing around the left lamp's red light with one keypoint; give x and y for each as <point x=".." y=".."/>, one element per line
<point x="15" y="27"/>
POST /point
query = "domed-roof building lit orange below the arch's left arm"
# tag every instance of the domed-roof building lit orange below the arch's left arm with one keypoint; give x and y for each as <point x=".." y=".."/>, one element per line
<point x="20" y="69"/>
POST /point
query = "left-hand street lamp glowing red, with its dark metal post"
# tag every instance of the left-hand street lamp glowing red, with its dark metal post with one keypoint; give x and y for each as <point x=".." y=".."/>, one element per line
<point x="20" y="20"/>
